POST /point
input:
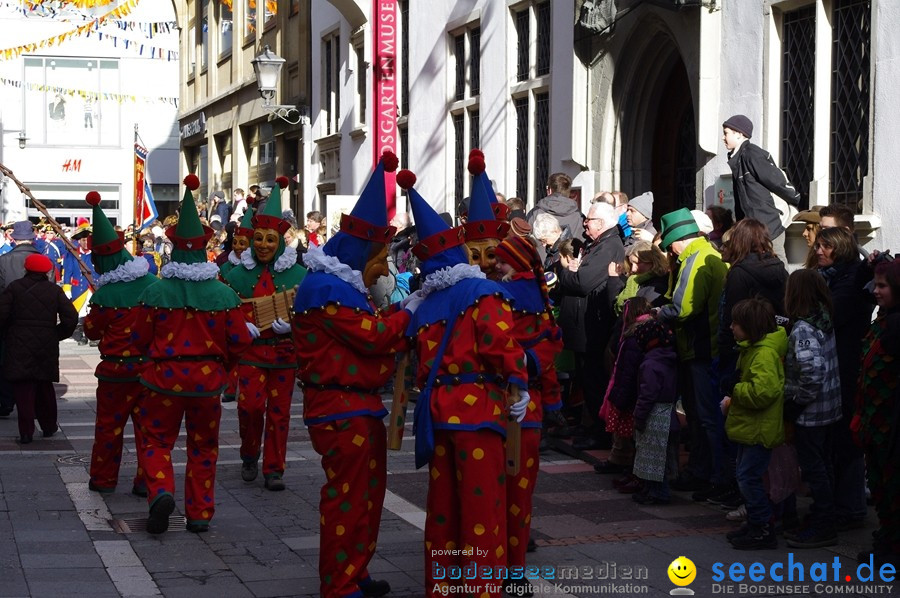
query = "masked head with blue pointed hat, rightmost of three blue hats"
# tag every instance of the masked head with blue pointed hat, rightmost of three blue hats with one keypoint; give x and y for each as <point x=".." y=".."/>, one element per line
<point x="484" y="227"/>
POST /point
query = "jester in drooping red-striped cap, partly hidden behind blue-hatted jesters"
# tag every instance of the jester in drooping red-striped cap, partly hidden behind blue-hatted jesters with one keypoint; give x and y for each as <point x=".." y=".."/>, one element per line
<point x="537" y="332"/>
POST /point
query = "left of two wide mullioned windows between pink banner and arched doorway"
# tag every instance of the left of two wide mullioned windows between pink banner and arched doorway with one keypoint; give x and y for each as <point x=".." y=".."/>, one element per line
<point x="465" y="49"/>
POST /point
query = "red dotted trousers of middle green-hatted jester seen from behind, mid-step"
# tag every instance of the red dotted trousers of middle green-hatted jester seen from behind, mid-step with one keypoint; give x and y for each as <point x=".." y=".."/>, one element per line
<point x="160" y="421"/>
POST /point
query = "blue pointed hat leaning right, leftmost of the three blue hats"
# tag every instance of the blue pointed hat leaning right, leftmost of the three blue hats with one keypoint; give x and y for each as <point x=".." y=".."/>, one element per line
<point x="367" y="223"/>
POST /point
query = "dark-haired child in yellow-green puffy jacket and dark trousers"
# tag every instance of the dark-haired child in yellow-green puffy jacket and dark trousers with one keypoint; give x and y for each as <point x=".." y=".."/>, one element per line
<point x="754" y="414"/>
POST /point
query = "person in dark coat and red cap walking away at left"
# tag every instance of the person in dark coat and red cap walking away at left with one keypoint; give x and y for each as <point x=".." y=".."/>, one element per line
<point x="29" y="308"/>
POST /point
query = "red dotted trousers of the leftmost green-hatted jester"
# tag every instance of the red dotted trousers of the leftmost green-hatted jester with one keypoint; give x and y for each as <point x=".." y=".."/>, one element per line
<point x="116" y="402"/>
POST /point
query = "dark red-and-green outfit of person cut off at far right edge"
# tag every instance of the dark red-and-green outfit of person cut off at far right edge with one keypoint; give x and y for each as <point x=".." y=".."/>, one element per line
<point x="876" y="427"/>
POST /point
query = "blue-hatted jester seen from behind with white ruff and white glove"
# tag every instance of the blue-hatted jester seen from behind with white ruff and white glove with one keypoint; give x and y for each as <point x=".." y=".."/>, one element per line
<point x="461" y="412"/>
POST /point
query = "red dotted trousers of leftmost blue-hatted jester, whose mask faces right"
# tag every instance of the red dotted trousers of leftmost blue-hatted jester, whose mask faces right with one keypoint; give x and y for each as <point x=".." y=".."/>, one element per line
<point x="354" y="457"/>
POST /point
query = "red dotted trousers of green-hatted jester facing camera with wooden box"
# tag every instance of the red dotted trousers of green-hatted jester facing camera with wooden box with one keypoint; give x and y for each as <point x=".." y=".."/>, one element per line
<point x="264" y="403"/>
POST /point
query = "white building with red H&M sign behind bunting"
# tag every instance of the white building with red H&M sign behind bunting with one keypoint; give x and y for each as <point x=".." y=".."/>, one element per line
<point x="75" y="85"/>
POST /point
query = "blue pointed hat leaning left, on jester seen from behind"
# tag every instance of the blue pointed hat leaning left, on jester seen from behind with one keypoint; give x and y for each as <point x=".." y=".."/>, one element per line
<point x="439" y="245"/>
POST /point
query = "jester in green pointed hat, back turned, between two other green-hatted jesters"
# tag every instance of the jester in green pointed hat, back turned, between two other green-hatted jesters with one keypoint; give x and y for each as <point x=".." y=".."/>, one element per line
<point x="191" y="327"/>
